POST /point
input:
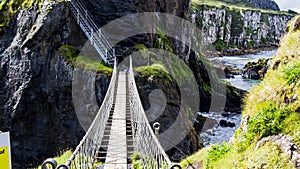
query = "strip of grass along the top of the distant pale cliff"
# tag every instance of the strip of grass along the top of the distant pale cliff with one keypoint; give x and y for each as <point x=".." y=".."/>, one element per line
<point x="236" y="4"/>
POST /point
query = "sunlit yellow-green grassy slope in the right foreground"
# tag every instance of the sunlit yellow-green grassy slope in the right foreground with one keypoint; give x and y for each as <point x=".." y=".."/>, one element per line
<point x="271" y="114"/>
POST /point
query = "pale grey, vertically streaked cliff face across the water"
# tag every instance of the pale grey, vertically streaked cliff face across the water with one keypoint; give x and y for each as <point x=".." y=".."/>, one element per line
<point x="225" y="27"/>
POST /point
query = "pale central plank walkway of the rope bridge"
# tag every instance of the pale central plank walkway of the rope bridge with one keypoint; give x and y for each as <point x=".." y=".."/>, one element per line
<point x="116" y="157"/>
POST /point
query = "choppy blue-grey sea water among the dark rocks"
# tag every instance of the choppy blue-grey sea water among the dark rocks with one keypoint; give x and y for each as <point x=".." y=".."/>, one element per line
<point x="213" y="132"/>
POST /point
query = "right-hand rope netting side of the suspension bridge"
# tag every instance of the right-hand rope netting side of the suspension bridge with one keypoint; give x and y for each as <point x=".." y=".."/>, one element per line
<point x="146" y="143"/>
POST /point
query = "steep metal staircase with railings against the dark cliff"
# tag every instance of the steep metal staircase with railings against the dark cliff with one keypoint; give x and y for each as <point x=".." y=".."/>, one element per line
<point x="94" y="33"/>
